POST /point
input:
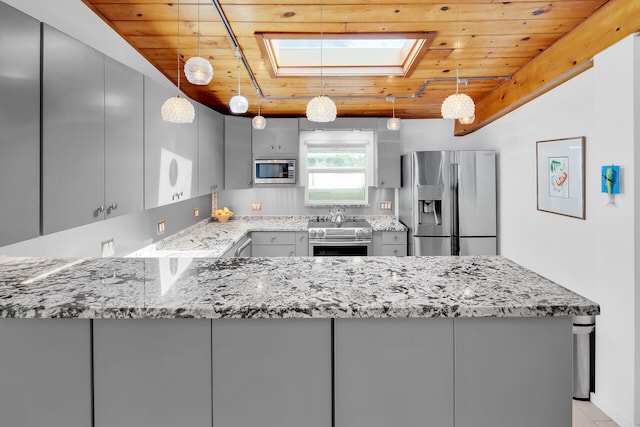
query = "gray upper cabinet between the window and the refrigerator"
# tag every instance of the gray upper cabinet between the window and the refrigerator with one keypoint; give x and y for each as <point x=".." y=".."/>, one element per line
<point x="389" y="152"/>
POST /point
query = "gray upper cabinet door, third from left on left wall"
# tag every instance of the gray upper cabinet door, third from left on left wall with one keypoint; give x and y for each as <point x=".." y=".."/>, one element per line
<point x="124" y="139"/>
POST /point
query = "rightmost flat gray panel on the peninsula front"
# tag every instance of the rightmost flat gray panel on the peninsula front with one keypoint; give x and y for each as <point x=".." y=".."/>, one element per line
<point x="508" y="369"/>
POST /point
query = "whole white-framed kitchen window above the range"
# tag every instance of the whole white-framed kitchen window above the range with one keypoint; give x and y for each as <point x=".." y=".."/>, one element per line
<point x="337" y="167"/>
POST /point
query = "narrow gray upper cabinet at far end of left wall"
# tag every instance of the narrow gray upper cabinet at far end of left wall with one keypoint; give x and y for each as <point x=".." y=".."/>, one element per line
<point x="210" y="150"/>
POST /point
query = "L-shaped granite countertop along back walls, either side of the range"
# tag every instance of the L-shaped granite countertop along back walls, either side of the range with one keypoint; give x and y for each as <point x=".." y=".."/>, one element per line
<point x="213" y="239"/>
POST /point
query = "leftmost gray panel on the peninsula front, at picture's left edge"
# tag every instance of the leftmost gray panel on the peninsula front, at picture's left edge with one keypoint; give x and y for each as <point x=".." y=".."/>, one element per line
<point x="45" y="372"/>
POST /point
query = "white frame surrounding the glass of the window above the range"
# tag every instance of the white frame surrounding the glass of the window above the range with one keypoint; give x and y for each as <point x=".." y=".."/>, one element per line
<point x="340" y="140"/>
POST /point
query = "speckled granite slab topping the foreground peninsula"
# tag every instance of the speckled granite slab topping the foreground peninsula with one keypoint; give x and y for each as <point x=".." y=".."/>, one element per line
<point x="280" y="287"/>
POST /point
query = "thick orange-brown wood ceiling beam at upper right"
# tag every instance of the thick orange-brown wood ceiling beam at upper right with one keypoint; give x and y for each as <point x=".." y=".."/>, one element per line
<point x="565" y="59"/>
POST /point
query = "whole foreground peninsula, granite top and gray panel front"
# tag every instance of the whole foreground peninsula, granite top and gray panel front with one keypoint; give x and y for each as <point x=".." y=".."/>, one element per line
<point x="299" y="341"/>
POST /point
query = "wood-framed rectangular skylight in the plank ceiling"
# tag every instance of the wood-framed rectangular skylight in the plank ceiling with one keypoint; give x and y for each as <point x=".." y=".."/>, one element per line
<point x="343" y="54"/>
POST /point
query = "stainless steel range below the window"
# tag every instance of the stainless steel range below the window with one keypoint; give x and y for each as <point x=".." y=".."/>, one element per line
<point x="351" y="238"/>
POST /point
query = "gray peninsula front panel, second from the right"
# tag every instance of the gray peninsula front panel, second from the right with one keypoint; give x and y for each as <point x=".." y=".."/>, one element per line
<point x="393" y="372"/>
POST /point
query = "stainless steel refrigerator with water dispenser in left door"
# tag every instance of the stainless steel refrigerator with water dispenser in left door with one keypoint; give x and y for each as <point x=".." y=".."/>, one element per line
<point x="448" y="201"/>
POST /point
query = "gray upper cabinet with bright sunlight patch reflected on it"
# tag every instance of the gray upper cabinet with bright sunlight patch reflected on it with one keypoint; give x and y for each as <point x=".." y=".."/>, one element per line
<point x="171" y="151"/>
